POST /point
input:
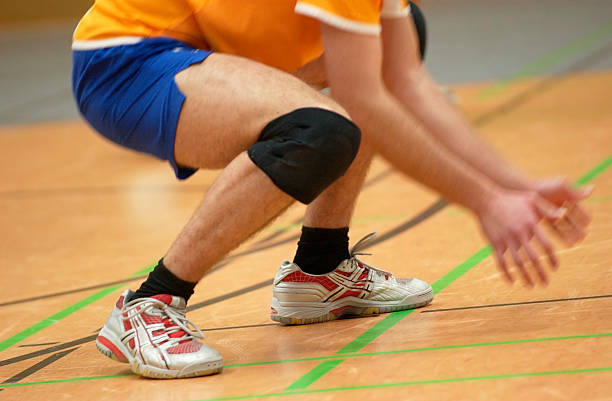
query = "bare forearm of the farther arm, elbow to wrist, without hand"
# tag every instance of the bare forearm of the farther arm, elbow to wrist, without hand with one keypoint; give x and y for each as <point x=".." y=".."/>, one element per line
<point x="419" y="94"/>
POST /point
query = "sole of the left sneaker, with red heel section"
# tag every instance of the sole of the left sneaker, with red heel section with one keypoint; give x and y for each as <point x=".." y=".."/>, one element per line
<point x="107" y="344"/>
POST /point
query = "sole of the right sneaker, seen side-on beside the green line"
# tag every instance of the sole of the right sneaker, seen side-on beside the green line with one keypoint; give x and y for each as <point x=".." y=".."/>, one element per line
<point x="296" y="313"/>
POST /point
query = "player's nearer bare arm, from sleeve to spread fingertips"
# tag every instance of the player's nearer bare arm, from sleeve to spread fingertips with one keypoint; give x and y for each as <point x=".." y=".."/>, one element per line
<point x="508" y="218"/>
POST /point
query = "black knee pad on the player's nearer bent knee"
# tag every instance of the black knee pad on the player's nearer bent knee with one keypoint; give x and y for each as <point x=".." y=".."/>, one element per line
<point x="304" y="151"/>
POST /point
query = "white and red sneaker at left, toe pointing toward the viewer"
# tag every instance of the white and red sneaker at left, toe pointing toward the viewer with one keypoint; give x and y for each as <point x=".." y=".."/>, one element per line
<point x="156" y="339"/>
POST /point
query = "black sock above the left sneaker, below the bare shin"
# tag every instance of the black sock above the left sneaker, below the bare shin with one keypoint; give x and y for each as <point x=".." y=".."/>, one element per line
<point x="163" y="281"/>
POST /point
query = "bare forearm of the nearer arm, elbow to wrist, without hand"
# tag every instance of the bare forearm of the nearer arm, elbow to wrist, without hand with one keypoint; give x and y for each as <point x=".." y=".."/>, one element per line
<point x="406" y="145"/>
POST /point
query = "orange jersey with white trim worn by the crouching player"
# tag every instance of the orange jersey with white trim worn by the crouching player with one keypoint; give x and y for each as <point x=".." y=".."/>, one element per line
<point x="280" y="33"/>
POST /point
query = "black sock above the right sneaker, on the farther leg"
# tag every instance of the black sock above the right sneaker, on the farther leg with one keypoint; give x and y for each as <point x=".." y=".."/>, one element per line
<point x="320" y="250"/>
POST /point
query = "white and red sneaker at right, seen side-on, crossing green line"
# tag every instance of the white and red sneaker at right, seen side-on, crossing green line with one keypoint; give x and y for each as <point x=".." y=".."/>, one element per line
<point x="353" y="289"/>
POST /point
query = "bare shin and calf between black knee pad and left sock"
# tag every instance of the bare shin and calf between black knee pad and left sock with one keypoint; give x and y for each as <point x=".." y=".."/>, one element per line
<point x="240" y="202"/>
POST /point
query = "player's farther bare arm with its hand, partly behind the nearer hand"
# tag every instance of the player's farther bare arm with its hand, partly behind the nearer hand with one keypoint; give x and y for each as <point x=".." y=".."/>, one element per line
<point x="408" y="81"/>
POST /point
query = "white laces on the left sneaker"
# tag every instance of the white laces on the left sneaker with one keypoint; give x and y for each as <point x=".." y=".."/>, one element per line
<point x="156" y="307"/>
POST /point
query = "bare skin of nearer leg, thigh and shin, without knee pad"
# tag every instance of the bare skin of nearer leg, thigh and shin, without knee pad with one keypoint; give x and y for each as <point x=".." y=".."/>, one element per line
<point x="229" y="101"/>
